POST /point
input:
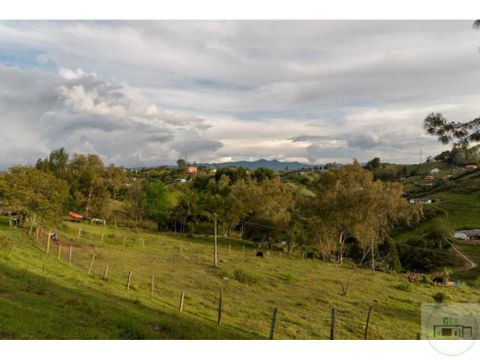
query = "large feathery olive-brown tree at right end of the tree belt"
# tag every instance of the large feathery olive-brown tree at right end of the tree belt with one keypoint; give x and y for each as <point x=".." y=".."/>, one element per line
<point x="349" y="203"/>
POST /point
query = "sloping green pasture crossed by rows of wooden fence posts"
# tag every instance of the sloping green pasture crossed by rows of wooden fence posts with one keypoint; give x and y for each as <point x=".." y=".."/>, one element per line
<point x="43" y="297"/>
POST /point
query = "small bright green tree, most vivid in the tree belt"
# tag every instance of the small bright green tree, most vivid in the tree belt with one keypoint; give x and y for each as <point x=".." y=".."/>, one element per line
<point x="157" y="202"/>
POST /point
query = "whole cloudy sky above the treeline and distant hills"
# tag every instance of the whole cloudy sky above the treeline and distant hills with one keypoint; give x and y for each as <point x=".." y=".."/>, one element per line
<point x="146" y="93"/>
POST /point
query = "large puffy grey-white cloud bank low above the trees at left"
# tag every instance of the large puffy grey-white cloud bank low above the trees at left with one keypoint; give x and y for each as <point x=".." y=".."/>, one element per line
<point x="90" y="116"/>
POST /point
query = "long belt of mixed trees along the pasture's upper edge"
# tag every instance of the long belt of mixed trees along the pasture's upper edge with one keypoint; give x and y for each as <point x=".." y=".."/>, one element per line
<point x="339" y="212"/>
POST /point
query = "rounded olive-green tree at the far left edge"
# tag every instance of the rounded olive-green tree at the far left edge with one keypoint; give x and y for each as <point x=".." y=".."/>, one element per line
<point x="28" y="191"/>
